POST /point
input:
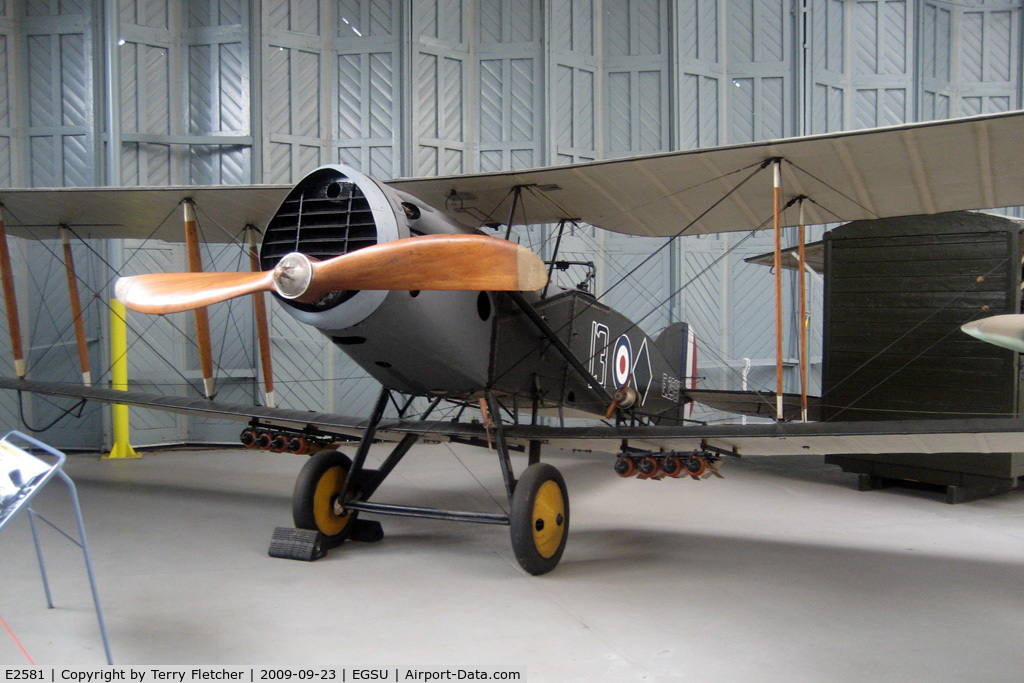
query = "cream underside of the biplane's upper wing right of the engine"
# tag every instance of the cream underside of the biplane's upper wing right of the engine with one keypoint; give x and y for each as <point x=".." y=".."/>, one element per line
<point x="913" y="169"/>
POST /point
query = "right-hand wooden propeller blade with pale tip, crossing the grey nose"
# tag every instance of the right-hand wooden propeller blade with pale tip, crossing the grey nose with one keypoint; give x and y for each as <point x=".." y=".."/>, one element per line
<point x="432" y="263"/>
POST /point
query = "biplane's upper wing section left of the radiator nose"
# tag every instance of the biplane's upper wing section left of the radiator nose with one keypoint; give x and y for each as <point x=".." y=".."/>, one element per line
<point x="139" y="212"/>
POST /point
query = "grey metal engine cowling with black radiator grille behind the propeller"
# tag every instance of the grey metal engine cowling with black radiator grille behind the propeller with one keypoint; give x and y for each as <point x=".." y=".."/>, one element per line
<point x="421" y="343"/>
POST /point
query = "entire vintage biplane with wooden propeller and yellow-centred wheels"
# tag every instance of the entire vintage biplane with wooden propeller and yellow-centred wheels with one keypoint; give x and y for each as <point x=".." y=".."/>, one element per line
<point x="412" y="280"/>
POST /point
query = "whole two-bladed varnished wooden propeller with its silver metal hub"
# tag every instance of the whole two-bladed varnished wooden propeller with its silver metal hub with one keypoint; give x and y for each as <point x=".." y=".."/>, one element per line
<point x="428" y="263"/>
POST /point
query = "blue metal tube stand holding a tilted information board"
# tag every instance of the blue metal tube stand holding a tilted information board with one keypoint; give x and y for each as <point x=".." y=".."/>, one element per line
<point x="42" y="471"/>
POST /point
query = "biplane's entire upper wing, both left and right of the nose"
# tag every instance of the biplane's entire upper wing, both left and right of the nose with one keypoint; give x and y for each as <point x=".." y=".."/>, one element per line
<point x="925" y="168"/>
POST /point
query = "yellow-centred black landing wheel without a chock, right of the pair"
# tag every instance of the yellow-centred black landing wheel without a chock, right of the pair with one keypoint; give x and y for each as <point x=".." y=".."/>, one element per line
<point x="540" y="520"/>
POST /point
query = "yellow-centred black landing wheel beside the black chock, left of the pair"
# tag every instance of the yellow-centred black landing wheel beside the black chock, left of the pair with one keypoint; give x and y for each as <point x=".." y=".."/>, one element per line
<point x="315" y="503"/>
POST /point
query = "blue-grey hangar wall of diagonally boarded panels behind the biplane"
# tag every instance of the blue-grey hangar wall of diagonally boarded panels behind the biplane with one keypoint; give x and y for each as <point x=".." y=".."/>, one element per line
<point x="237" y="92"/>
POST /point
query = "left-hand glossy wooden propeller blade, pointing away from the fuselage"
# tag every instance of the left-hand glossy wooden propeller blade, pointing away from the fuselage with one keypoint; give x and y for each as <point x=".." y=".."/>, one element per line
<point x="175" y="292"/>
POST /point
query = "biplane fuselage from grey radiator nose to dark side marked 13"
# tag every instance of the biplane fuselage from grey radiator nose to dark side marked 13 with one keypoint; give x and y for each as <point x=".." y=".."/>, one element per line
<point x="460" y="344"/>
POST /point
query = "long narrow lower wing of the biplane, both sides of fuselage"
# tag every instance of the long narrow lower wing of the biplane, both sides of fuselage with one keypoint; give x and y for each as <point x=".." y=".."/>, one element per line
<point x="972" y="436"/>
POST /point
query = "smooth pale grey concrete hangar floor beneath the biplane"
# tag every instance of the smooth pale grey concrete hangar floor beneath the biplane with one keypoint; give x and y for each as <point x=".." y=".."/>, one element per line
<point x="781" y="572"/>
